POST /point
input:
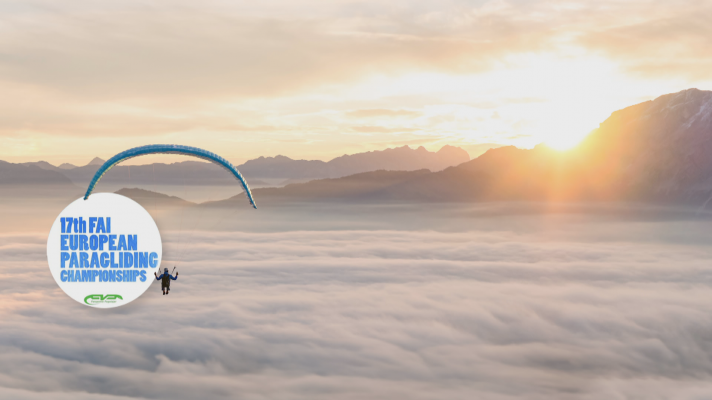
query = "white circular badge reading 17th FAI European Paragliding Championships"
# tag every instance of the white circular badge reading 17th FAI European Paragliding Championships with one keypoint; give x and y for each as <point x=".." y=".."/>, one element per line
<point x="103" y="251"/>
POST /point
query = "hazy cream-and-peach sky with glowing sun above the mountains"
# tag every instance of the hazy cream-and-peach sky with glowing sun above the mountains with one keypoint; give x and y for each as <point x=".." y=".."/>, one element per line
<point x="317" y="79"/>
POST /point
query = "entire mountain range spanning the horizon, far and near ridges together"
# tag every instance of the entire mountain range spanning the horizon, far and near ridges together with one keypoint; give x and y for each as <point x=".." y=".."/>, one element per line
<point x="658" y="151"/>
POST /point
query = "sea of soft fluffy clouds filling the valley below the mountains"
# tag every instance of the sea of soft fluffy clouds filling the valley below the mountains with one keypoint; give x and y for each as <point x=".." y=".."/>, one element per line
<point x="565" y="307"/>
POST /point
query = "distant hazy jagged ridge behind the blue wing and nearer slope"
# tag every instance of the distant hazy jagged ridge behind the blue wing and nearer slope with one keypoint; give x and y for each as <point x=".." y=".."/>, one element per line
<point x="279" y="168"/>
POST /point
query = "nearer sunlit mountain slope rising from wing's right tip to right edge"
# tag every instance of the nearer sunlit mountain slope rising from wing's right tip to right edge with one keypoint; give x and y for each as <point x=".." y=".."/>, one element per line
<point x="657" y="151"/>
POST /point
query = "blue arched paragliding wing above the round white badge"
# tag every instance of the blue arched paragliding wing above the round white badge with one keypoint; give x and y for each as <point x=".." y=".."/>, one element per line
<point x="169" y="149"/>
